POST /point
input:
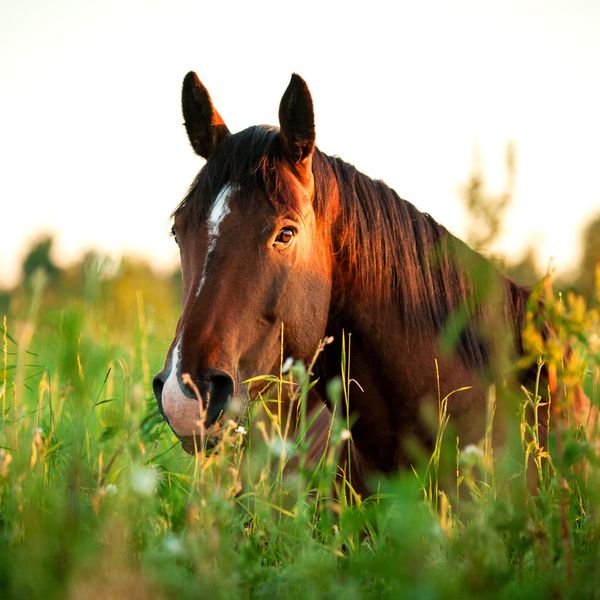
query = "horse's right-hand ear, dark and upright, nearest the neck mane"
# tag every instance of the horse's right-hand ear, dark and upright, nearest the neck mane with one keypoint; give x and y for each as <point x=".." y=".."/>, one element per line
<point x="297" y="124"/>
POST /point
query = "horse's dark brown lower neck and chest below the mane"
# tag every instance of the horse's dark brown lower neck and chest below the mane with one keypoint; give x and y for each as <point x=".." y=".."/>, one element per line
<point x="392" y="365"/>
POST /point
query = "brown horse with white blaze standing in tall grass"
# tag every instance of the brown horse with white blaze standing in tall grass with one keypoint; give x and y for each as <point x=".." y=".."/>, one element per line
<point x="274" y="232"/>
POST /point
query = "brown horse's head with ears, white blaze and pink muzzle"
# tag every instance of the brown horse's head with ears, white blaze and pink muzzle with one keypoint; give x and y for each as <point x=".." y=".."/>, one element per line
<point x="255" y="258"/>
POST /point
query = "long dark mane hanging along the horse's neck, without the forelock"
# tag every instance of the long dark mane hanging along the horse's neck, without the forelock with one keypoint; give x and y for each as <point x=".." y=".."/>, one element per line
<point x="393" y="252"/>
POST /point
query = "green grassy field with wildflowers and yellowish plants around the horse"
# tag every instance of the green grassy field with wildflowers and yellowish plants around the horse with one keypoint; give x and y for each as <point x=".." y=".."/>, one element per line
<point x="97" y="500"/>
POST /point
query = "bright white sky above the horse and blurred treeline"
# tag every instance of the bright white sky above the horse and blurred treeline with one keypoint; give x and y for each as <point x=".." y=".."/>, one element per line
<point x="92" y="145"/>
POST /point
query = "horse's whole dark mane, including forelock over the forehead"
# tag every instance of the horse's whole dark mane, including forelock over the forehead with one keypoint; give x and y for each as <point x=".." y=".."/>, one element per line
<point x="390" y="251"/>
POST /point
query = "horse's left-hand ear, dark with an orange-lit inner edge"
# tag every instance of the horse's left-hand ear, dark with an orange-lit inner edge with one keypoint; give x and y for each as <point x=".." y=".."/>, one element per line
<point x="203" y="123"/>
